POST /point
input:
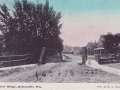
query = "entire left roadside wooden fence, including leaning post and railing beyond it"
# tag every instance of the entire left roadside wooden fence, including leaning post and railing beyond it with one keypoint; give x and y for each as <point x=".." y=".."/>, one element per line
<point x="46" y="55"/>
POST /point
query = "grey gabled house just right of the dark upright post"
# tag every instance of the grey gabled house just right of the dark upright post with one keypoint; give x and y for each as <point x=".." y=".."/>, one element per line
<point x="90" y="47"/>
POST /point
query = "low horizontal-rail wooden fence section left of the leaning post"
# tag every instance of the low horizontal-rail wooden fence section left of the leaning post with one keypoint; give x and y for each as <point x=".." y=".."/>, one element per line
<point x="15" y="60"/>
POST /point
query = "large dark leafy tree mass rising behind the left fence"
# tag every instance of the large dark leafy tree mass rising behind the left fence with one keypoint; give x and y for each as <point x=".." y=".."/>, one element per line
<point x="30" y="27"/>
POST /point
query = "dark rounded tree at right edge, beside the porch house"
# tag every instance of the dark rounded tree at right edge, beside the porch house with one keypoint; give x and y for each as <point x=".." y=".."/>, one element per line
<point x="111" y="43"/>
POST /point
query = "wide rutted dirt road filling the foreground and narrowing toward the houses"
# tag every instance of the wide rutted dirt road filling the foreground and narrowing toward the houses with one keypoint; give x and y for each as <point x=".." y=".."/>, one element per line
<point x="67" y="71"/>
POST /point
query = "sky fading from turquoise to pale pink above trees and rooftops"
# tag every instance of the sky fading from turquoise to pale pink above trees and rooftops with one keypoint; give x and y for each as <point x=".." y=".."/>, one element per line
<point x="84" y="20"/>
